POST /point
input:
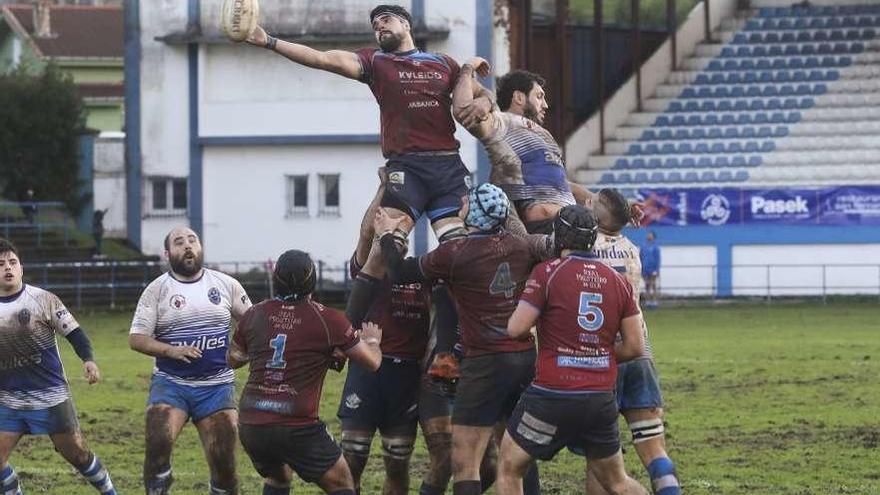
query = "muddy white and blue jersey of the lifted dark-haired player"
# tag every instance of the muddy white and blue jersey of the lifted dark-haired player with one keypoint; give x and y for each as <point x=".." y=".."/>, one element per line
<point x="526" y="161"/>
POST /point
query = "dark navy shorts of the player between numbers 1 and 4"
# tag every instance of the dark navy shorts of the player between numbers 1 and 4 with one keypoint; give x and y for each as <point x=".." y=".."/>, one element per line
<point x="386" y="400"/>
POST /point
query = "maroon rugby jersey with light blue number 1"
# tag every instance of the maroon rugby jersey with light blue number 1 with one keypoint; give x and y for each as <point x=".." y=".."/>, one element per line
<point x="290" y="347"/>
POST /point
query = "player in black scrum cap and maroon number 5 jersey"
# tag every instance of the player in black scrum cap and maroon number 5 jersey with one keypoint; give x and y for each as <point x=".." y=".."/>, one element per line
<point x="580" y="306"/>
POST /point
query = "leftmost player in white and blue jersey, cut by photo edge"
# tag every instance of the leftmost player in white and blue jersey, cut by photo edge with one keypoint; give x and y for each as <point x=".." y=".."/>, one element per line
<point x="34" y="393"/>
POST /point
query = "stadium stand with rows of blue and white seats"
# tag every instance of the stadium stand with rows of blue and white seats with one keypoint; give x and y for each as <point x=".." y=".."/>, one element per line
<point x="790" y="95"/>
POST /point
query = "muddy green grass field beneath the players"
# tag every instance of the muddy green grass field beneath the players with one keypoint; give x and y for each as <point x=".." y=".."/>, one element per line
<point x="761" y="399"/>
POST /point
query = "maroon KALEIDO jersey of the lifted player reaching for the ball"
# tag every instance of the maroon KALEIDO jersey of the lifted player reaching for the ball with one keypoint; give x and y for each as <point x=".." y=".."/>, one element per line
<point x="414" y="92"/>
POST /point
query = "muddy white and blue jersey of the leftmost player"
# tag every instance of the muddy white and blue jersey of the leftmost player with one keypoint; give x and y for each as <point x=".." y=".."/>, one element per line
<point x="31" y="373"/>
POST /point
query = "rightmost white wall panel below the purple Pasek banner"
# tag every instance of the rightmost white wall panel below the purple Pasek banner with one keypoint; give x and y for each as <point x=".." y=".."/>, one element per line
<point x="798" y="269"/>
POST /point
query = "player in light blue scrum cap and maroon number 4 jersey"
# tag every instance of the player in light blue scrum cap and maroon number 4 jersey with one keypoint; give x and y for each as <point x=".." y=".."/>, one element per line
<point x="486" y="271"/>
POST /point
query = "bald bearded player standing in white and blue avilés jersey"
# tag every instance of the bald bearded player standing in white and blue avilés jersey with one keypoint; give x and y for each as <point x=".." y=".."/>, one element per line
<point x="183" y="320"/>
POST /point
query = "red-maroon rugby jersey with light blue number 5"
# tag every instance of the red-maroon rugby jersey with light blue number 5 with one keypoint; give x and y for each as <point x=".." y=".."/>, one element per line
<point x="582" y="303"/>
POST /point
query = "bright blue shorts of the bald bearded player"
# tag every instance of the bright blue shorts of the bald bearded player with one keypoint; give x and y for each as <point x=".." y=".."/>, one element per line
<point x="197" y="402"/>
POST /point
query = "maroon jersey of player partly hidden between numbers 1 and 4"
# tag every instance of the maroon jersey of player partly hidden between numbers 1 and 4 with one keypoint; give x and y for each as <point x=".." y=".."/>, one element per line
<point x="403" y="312"/>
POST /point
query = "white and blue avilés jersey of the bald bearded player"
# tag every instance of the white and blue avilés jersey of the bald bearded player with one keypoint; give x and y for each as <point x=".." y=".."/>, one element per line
<point x="197" y="314"/>
